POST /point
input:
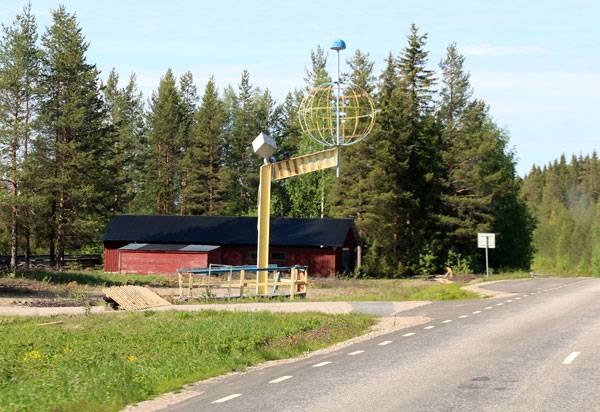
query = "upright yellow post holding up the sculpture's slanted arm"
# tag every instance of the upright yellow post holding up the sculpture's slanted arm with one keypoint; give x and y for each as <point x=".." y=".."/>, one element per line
<point x="264" y="207"/>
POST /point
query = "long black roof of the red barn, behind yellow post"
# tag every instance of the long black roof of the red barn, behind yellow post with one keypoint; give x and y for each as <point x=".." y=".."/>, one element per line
<point x="219" y="230"/>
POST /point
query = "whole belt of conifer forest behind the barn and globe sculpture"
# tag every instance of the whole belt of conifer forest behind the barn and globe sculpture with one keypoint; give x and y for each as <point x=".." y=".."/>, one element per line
<point x="437" y="169"/>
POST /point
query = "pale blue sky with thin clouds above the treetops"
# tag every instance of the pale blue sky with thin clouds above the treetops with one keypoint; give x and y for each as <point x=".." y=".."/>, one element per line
<point x="536" y="63"/>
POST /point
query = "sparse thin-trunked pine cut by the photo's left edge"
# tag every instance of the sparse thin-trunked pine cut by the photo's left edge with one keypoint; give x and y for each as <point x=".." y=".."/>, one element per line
<point x="19" y="67"/>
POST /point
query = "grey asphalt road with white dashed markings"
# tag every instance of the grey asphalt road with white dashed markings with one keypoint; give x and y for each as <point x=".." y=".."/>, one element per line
<point x="536" y="351"/>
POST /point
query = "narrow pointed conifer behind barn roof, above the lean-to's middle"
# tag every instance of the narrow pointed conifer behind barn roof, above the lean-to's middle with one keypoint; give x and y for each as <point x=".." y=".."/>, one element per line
<point x="164" y="130"/>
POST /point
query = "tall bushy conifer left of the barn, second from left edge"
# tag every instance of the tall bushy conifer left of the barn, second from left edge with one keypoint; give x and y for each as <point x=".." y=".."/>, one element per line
<point x="74" y="145"/>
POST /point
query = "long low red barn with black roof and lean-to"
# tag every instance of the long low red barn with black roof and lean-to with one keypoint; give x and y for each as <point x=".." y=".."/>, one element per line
<point x="163" y="244"/>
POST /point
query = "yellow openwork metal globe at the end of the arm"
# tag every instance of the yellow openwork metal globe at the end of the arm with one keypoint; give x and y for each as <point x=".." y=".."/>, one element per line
<point x="318" y="115"/>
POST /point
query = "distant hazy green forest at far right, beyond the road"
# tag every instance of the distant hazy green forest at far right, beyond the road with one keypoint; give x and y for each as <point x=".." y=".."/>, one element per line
<point x="563" y="197"/>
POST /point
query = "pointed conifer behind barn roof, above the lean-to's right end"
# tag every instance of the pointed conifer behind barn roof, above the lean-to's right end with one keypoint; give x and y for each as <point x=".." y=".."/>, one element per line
<point x="205" y="186"/>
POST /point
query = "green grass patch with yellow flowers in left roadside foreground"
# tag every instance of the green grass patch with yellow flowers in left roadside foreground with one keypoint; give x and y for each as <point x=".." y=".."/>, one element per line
<point x="104" y="362"/>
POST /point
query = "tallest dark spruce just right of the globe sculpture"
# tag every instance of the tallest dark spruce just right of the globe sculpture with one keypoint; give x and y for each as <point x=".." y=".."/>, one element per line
<point x="402" y="217"/>
